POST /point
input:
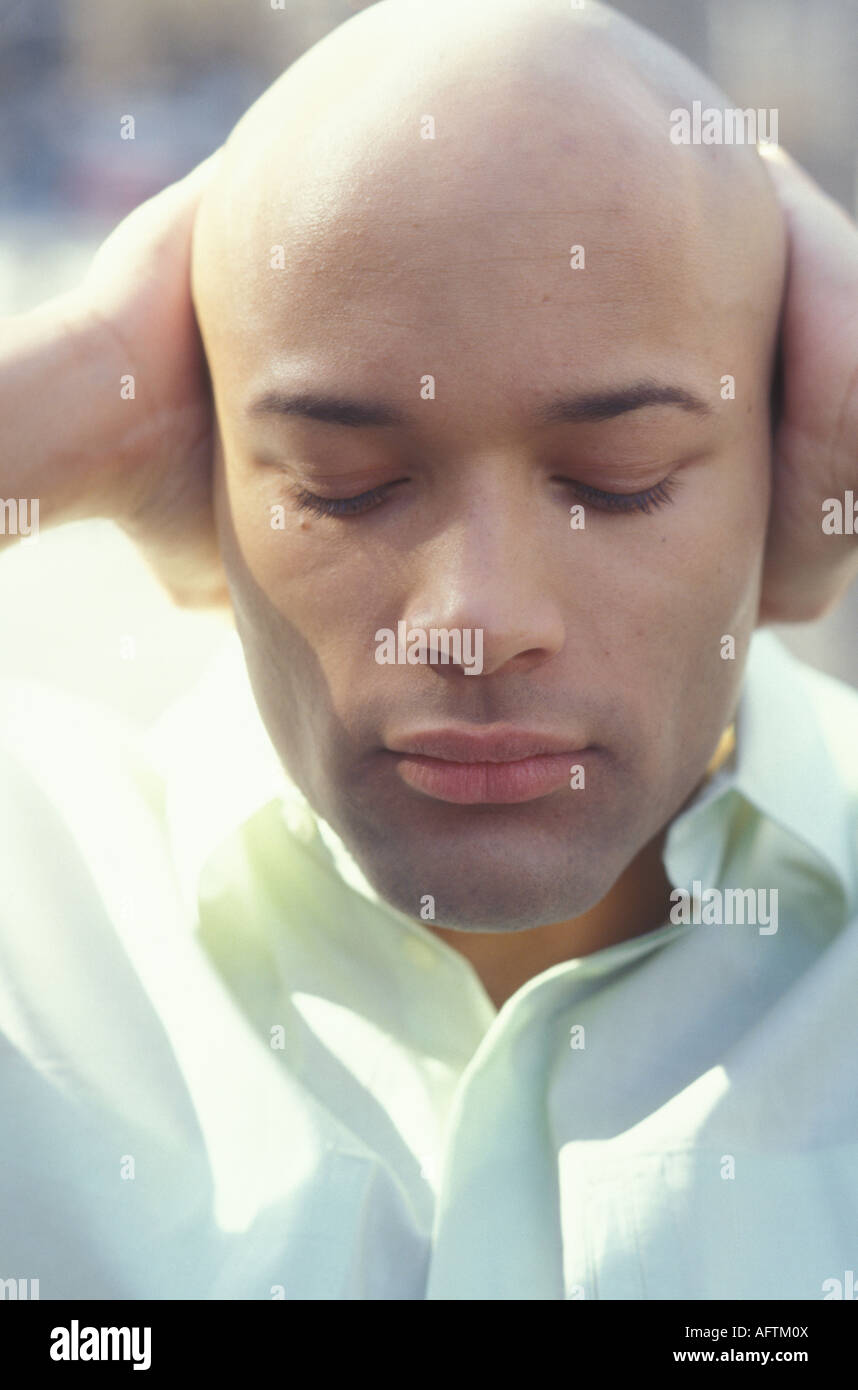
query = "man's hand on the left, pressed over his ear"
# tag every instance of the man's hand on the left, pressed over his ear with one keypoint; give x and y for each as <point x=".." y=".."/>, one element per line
<point x="137" y="301"/>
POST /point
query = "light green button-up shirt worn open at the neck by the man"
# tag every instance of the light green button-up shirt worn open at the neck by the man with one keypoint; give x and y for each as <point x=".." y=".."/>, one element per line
<point x="227" y="1071"/>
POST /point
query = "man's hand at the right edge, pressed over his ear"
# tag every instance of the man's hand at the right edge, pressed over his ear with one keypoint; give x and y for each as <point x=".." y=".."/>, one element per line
<point x="817" y="439"/>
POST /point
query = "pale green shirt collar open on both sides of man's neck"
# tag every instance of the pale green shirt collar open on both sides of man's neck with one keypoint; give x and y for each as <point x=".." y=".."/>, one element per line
<point x="220" y="769"/>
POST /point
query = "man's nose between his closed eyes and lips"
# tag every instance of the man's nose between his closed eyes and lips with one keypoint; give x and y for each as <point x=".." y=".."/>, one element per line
<point x="489" y="572"/>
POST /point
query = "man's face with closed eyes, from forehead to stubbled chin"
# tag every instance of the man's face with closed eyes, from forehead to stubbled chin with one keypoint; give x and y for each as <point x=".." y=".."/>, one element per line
<point x="453" y="262"/>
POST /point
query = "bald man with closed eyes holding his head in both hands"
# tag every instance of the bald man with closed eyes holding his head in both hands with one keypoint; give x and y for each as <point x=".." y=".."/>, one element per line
<point x="518" y="972"/>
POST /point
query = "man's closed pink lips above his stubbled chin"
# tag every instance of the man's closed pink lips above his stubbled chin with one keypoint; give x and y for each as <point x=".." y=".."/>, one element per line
<point x="492" y="767"/>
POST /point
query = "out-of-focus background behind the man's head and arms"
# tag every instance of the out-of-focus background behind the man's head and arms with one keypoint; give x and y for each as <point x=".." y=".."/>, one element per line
<point x="84" y="612"/>
